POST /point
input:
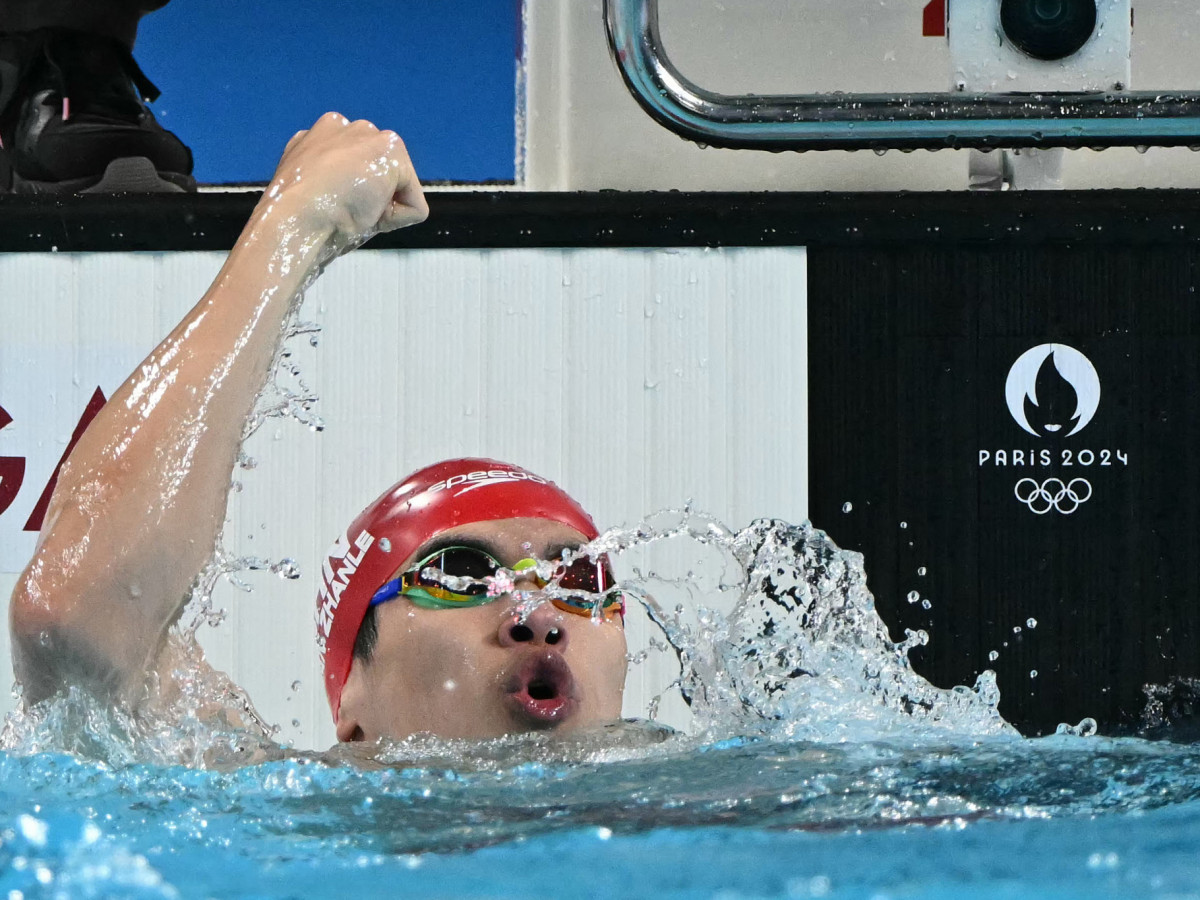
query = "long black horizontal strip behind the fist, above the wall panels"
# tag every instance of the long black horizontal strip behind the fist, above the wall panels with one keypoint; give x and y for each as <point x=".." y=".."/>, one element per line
<point x="213" y="221"/>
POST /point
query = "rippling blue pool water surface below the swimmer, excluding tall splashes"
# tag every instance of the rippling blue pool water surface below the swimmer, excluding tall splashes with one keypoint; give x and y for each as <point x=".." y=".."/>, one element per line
<point x="1006" y="818"/>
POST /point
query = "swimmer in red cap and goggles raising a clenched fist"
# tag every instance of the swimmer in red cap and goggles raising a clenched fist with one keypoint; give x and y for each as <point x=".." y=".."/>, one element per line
<point x="451" y="607"/>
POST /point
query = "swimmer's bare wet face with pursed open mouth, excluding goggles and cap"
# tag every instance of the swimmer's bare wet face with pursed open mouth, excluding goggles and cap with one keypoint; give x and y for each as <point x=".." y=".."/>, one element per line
<point x="479" y="671"/>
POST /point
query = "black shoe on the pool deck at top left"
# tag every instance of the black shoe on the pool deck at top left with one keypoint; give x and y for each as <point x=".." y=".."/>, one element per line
<point x="74" y="119"/>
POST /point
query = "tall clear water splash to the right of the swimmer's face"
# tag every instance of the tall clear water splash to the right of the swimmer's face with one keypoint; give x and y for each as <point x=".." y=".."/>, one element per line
<point x="802" y="652"/>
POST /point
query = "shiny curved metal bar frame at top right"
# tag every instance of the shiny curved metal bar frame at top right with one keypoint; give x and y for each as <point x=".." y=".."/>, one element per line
<point x="905" y="122"/>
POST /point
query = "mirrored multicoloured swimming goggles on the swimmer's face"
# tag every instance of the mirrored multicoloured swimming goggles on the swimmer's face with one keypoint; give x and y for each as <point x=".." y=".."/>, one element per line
<point x="457" y="578"/>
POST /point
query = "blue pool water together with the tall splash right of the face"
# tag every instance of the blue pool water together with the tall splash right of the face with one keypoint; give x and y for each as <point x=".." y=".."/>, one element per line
<point x="817" y="764"/>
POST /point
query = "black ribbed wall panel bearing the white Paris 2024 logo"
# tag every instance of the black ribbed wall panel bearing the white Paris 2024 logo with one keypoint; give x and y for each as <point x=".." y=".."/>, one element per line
<point x="1091" y="533"/>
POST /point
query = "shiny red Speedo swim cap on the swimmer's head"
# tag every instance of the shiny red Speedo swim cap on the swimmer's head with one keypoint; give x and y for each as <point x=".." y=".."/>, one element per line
<point x="427" y="503"/>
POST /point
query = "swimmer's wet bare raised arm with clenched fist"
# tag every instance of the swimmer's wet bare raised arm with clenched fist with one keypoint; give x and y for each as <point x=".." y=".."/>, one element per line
<point x="140" y="505"/>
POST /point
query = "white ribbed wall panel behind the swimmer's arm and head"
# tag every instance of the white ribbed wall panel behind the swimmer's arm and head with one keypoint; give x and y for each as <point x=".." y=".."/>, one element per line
<point x="637" y="379"/>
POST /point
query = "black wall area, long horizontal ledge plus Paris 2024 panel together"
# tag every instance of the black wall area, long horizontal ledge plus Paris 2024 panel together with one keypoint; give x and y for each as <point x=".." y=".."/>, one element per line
<point x="1004" y="389"/>
